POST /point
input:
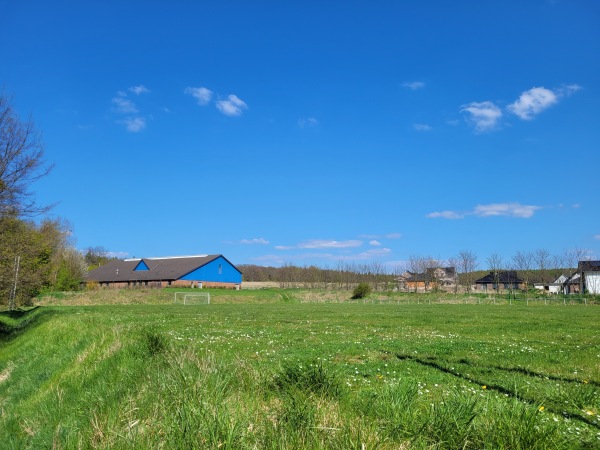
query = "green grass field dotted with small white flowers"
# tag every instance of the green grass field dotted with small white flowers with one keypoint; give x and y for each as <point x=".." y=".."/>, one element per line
<point x="259" y="369"/>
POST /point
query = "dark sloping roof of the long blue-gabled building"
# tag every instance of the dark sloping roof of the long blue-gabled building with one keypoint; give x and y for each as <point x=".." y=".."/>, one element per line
<point x="159" y="269"/>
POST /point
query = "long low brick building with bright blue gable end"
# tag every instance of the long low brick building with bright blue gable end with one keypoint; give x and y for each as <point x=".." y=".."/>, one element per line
<point x="192" y="271"/>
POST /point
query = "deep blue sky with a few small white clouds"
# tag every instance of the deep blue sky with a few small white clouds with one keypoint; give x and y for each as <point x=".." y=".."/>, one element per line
<point x="314" y="132"/>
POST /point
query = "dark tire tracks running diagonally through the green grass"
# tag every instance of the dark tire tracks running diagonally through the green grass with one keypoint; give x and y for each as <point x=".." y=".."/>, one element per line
<point x="498" y="388"/>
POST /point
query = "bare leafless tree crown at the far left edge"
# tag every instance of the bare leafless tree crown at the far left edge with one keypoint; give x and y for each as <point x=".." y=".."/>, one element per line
<point x="21" y="163"/>
